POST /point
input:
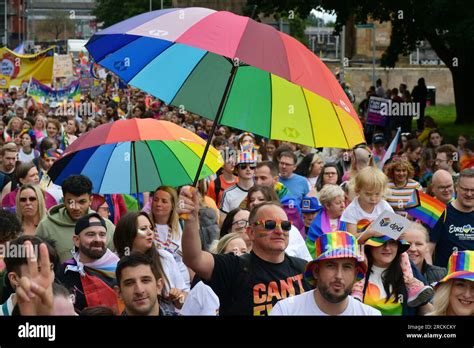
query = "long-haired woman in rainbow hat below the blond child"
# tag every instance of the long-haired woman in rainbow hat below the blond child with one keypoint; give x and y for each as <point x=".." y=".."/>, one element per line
<point x="385" y="286"/>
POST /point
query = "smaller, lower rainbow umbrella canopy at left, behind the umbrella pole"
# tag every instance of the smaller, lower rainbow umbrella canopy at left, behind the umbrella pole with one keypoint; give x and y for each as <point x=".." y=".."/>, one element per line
<point x="136" y="155"/>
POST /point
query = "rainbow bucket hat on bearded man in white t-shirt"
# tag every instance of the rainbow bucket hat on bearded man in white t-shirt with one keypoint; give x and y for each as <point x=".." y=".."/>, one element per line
<point x="335" y="245"/>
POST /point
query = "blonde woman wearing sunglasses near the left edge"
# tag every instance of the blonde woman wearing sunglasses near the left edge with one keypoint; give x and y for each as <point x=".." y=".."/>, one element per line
<point x="30" y="207"/>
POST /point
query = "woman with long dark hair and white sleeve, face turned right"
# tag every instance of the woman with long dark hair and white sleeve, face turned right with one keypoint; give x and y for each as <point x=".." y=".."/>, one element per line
<point x="134" y="232"/>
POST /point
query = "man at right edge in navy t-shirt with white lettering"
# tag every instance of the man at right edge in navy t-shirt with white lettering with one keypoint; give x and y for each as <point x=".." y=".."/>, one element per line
<point x="455" y="229"/>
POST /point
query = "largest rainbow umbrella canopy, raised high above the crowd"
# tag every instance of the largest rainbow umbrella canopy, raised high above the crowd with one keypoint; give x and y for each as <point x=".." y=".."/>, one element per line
<point x="220" y="65"/>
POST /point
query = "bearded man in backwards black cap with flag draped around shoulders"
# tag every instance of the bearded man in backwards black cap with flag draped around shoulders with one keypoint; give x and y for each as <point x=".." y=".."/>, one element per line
<point x="90" y="274"/>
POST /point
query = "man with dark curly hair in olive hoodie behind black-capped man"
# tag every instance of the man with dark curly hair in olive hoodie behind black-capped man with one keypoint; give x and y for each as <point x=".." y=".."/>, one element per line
<point x="59" y="223"/>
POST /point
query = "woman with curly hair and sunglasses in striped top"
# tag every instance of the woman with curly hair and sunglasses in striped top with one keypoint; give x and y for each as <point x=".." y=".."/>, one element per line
<point x="400" y="185"/>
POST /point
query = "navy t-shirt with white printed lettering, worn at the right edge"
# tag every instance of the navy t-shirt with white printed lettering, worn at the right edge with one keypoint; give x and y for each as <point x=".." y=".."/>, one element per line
<point x="456" y="233"/>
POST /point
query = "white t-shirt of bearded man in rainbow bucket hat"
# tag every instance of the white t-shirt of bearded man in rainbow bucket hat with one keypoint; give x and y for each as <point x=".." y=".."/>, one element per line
<point x="305" y="304"/>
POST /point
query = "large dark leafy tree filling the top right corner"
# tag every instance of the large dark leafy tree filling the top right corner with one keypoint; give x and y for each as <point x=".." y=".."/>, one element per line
<point x="448" y="25"/>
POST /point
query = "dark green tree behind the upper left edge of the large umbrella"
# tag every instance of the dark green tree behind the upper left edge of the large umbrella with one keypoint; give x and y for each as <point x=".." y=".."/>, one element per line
<point x="113" y="11"/>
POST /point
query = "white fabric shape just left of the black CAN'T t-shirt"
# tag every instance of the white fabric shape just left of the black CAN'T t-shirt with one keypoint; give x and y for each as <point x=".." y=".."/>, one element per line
<point x="202" y="300"/>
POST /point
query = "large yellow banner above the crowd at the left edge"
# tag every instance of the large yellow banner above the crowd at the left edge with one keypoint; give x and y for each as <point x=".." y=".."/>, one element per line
<point x="20" y="68"/>
